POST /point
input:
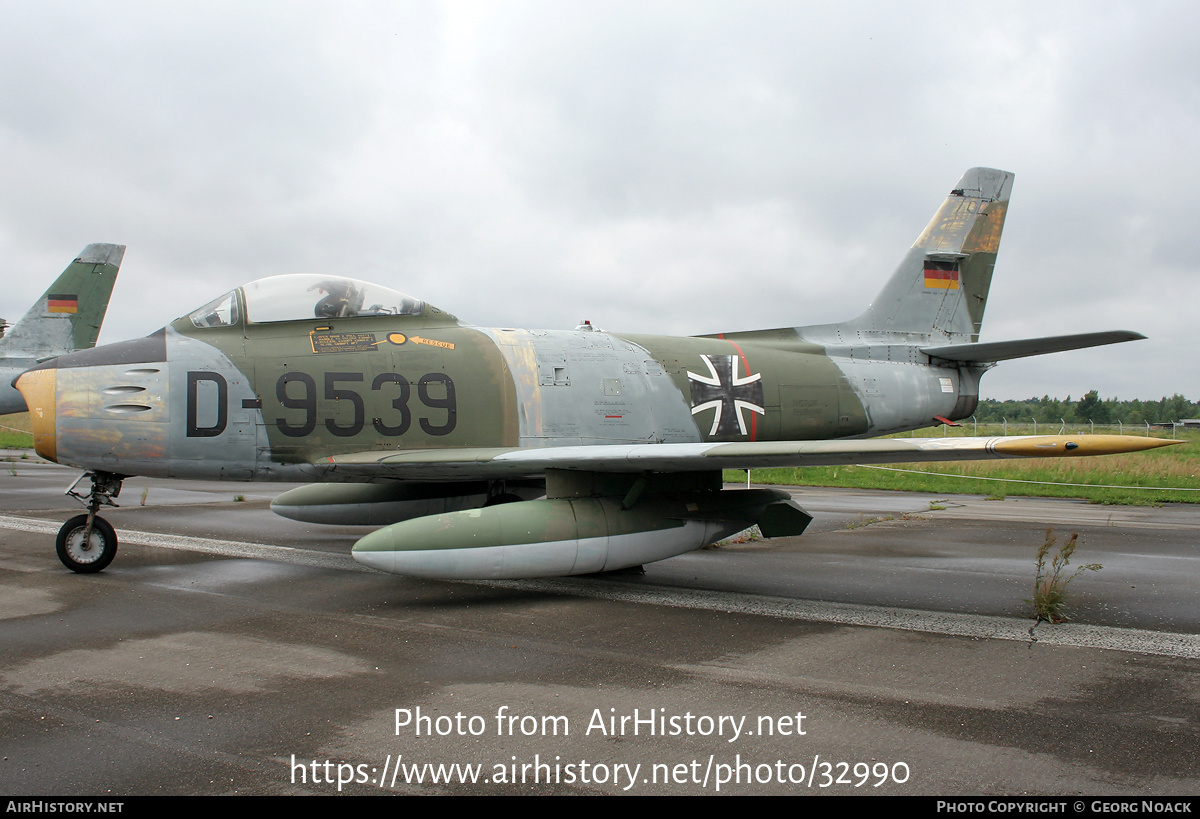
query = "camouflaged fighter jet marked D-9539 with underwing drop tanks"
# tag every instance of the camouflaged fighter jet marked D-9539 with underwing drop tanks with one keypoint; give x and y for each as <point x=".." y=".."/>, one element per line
<point x="443" y="434"/>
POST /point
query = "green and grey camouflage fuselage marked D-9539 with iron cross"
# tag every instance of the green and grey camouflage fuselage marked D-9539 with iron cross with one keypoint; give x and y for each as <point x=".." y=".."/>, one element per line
<point x="269" y="402"/>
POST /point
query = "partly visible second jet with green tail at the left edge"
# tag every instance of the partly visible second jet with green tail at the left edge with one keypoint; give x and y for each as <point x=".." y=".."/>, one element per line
<point x="67" y="318"/>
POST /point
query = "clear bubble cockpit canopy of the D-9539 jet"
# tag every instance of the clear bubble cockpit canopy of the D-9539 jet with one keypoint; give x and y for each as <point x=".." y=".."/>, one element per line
<point x="305" y="296"/>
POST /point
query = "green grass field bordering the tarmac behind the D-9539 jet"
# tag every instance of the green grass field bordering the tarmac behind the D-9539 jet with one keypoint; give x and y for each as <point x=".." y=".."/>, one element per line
<point x="1154" y="474"/>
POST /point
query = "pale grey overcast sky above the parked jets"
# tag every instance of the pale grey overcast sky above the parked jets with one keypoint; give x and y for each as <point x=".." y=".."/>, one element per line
<point x="655" y="168"/>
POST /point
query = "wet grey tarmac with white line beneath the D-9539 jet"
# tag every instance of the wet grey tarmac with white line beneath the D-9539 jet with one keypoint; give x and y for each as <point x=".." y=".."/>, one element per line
<point x="229" y="650"/>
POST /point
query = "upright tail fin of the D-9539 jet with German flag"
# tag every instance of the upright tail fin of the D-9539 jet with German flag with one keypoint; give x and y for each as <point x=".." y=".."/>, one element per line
<point x="940" y="290"/>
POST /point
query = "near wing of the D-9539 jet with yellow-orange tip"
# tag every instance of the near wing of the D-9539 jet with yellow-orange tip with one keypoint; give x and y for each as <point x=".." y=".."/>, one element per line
<point x="530" y="462"/>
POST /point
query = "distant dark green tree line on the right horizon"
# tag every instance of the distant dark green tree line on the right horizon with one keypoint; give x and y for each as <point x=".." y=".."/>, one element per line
<point x="1089" y="409"/>
